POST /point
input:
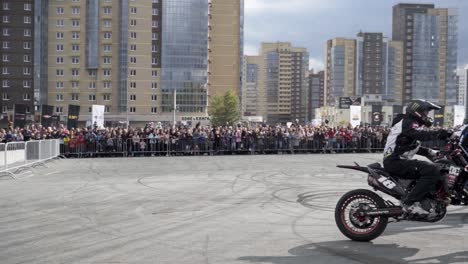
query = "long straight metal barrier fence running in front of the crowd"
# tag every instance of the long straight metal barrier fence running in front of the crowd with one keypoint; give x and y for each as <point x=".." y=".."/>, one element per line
<point x="168" y="146"/>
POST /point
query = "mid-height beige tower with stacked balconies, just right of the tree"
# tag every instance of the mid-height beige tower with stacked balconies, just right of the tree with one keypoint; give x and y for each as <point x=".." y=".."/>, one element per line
<point x="279" y="74"/>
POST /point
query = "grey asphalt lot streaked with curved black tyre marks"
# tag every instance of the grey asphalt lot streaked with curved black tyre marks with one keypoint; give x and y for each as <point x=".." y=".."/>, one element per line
<point x="210" y="210"/>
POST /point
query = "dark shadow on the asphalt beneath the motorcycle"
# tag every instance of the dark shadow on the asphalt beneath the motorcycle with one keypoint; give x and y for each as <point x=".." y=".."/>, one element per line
<point x="347" y="251"/>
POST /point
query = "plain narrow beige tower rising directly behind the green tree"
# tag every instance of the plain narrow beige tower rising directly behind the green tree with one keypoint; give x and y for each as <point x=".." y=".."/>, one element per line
<point x="225" y="46"/>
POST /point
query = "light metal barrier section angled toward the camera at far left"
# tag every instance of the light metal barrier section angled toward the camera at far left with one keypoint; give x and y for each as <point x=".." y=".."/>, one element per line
<point x="14" y="155"/>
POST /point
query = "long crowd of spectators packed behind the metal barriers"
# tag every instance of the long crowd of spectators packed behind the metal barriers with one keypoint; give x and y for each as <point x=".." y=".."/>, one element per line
<point x="154" y="139"/>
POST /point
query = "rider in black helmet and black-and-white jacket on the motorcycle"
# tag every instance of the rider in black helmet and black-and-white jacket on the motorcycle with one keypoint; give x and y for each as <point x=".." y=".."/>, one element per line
<point x="403" y="142"/>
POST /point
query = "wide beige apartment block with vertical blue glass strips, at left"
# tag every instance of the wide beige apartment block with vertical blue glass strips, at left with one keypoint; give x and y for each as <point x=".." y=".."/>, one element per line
<point x="104" y="53"/>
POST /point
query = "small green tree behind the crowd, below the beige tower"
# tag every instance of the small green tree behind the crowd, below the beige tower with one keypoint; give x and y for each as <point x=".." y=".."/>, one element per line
<point x="225" y="109"/>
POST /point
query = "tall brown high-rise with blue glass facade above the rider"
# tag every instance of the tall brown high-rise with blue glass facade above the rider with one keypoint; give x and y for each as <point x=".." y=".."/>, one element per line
<point x="429" y="36"/>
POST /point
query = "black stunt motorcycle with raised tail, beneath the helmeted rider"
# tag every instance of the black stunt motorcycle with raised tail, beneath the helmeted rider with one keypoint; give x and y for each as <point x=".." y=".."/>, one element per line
<point x="363" y="215"/>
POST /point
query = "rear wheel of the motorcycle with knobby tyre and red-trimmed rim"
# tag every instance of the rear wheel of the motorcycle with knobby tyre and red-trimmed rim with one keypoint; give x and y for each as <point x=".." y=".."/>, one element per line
<point x="350" y="217"/>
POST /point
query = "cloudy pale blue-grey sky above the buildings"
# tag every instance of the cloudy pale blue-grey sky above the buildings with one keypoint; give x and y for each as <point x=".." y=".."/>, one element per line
<point x="310" y="23"/>
